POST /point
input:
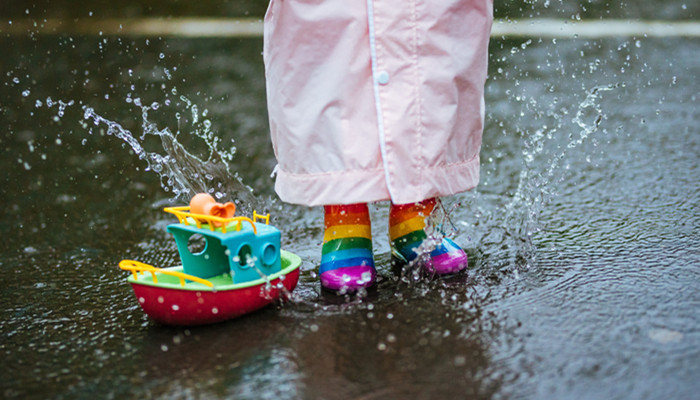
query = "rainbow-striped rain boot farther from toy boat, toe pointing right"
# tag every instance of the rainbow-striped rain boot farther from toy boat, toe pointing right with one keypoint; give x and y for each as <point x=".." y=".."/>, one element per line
<point x="407" y="234"/>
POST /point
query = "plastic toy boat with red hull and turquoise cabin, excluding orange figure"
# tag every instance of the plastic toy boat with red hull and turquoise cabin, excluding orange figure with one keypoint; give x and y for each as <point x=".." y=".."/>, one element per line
<point x="240" y="269"/>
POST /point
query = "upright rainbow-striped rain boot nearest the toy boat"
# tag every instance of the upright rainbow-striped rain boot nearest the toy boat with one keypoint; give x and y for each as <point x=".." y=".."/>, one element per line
<point x="347" y="260"/>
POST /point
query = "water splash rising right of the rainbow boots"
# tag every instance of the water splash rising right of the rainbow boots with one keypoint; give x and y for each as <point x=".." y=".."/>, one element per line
<point x="508" y="229"/>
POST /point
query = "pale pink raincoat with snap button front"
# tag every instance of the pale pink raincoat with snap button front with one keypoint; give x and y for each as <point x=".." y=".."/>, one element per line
<point x="375" y="100"/>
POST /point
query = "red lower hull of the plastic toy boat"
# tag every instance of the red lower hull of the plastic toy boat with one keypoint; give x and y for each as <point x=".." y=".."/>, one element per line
<point x="190" y="307"/>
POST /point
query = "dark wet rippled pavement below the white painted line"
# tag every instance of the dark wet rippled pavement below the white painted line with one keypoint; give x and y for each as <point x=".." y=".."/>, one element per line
<point x="583" y="235"/>
